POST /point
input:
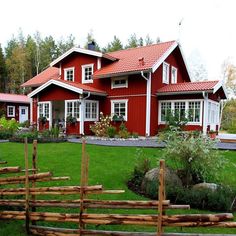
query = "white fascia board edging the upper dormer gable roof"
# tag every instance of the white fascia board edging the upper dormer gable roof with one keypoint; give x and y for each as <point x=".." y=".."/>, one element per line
<point x="83" y="51"/>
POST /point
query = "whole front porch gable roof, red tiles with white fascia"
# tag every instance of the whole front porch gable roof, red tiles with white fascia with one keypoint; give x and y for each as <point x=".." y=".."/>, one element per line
<point x="72" y="86"/>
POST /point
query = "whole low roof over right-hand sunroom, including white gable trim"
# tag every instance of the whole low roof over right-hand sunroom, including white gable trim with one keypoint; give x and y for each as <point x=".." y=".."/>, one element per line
<point x="193" y="87"/>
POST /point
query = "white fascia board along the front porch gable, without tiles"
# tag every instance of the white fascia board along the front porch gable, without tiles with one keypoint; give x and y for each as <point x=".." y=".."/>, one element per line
<point x="58" y="83"/>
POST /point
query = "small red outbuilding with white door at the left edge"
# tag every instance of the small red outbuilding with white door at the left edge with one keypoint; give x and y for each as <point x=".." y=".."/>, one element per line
<point x="15" y="106"/>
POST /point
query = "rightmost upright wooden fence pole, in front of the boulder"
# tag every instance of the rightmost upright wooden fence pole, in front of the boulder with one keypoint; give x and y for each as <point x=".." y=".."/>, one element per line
<point x="161" y="196"/>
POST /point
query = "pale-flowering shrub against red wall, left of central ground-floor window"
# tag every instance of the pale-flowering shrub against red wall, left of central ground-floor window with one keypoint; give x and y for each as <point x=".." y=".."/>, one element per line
<point x="100" y="128"/>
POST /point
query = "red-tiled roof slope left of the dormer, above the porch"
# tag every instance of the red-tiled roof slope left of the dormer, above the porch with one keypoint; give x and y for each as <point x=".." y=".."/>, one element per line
<point x="43" y="77"/>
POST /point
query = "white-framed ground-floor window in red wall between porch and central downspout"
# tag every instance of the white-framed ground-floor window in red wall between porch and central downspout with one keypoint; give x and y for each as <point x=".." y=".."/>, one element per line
<point x="120" y="108"/>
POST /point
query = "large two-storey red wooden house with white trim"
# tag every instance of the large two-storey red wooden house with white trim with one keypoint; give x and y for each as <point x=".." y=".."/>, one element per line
<point x="140" y="84"/>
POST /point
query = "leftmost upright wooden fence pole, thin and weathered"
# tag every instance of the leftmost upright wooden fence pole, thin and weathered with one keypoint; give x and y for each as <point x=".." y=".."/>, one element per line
<point x="27" y="218"/>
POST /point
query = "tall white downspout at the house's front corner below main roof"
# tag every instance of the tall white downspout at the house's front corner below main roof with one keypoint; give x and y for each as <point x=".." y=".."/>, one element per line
<point x="148" y="102"/>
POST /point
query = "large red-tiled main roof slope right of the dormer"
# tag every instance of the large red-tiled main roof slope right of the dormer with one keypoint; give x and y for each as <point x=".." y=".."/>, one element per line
<point x="128" y="60"/>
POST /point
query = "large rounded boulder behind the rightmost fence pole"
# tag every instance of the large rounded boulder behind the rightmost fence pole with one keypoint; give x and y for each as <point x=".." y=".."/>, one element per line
<point x="150" y="182"/>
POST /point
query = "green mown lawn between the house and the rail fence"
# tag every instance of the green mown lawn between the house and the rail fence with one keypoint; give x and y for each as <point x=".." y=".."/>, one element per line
<point x="109" y="166"/>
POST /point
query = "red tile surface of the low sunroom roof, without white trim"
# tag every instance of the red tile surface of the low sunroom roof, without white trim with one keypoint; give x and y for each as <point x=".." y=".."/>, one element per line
<point x="188" y="87"/>
